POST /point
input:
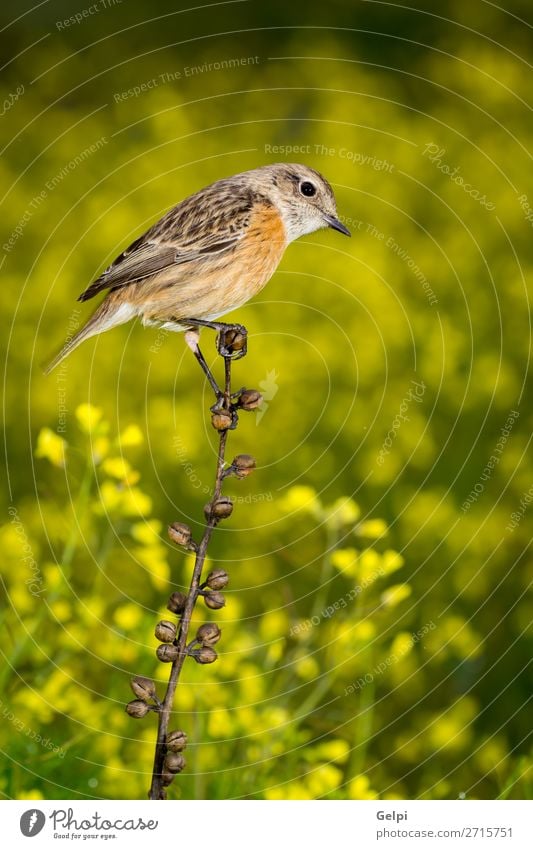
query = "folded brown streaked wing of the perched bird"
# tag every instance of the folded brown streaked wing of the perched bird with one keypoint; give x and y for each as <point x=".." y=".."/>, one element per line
<point x="210" y="222"/>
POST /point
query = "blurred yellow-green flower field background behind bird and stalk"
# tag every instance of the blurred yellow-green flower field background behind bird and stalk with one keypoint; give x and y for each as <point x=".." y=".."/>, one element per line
<point x="377" y="629"/>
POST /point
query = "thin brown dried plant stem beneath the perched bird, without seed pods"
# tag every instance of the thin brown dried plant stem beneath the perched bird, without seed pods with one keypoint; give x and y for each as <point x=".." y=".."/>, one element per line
<point x="157" y="790"/>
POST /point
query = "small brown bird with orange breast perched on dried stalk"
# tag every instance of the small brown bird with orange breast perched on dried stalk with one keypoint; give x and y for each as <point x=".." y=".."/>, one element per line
<point x="210" y="253"/>
